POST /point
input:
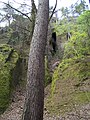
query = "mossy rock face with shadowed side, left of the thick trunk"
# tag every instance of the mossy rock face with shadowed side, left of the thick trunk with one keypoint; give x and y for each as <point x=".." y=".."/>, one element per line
<point x="9" y="74"/>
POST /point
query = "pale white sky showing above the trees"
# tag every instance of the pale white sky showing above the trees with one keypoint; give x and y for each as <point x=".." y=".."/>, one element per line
<point x="61" y="3"/>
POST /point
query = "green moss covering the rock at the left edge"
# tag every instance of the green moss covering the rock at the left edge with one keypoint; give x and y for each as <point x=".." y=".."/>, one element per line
<point x="5" y="74"/>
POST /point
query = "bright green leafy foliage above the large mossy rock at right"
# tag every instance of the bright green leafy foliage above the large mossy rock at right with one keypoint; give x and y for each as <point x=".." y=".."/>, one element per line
<point x="79" y="44"/>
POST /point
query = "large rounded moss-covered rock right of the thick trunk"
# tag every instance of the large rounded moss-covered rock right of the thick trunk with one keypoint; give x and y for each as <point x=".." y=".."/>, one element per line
<point x="70" y="86"/>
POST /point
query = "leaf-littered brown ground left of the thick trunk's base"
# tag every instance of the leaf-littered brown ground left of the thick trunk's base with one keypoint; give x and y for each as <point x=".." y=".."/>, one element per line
<point x="15" y="110"/>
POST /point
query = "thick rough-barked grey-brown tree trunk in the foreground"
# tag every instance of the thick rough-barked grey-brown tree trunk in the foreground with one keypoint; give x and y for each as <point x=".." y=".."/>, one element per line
<point x="34" y="102"/>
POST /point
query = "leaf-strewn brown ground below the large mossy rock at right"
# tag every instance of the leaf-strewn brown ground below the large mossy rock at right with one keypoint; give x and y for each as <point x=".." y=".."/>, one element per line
<point x="82" y="113"/>
